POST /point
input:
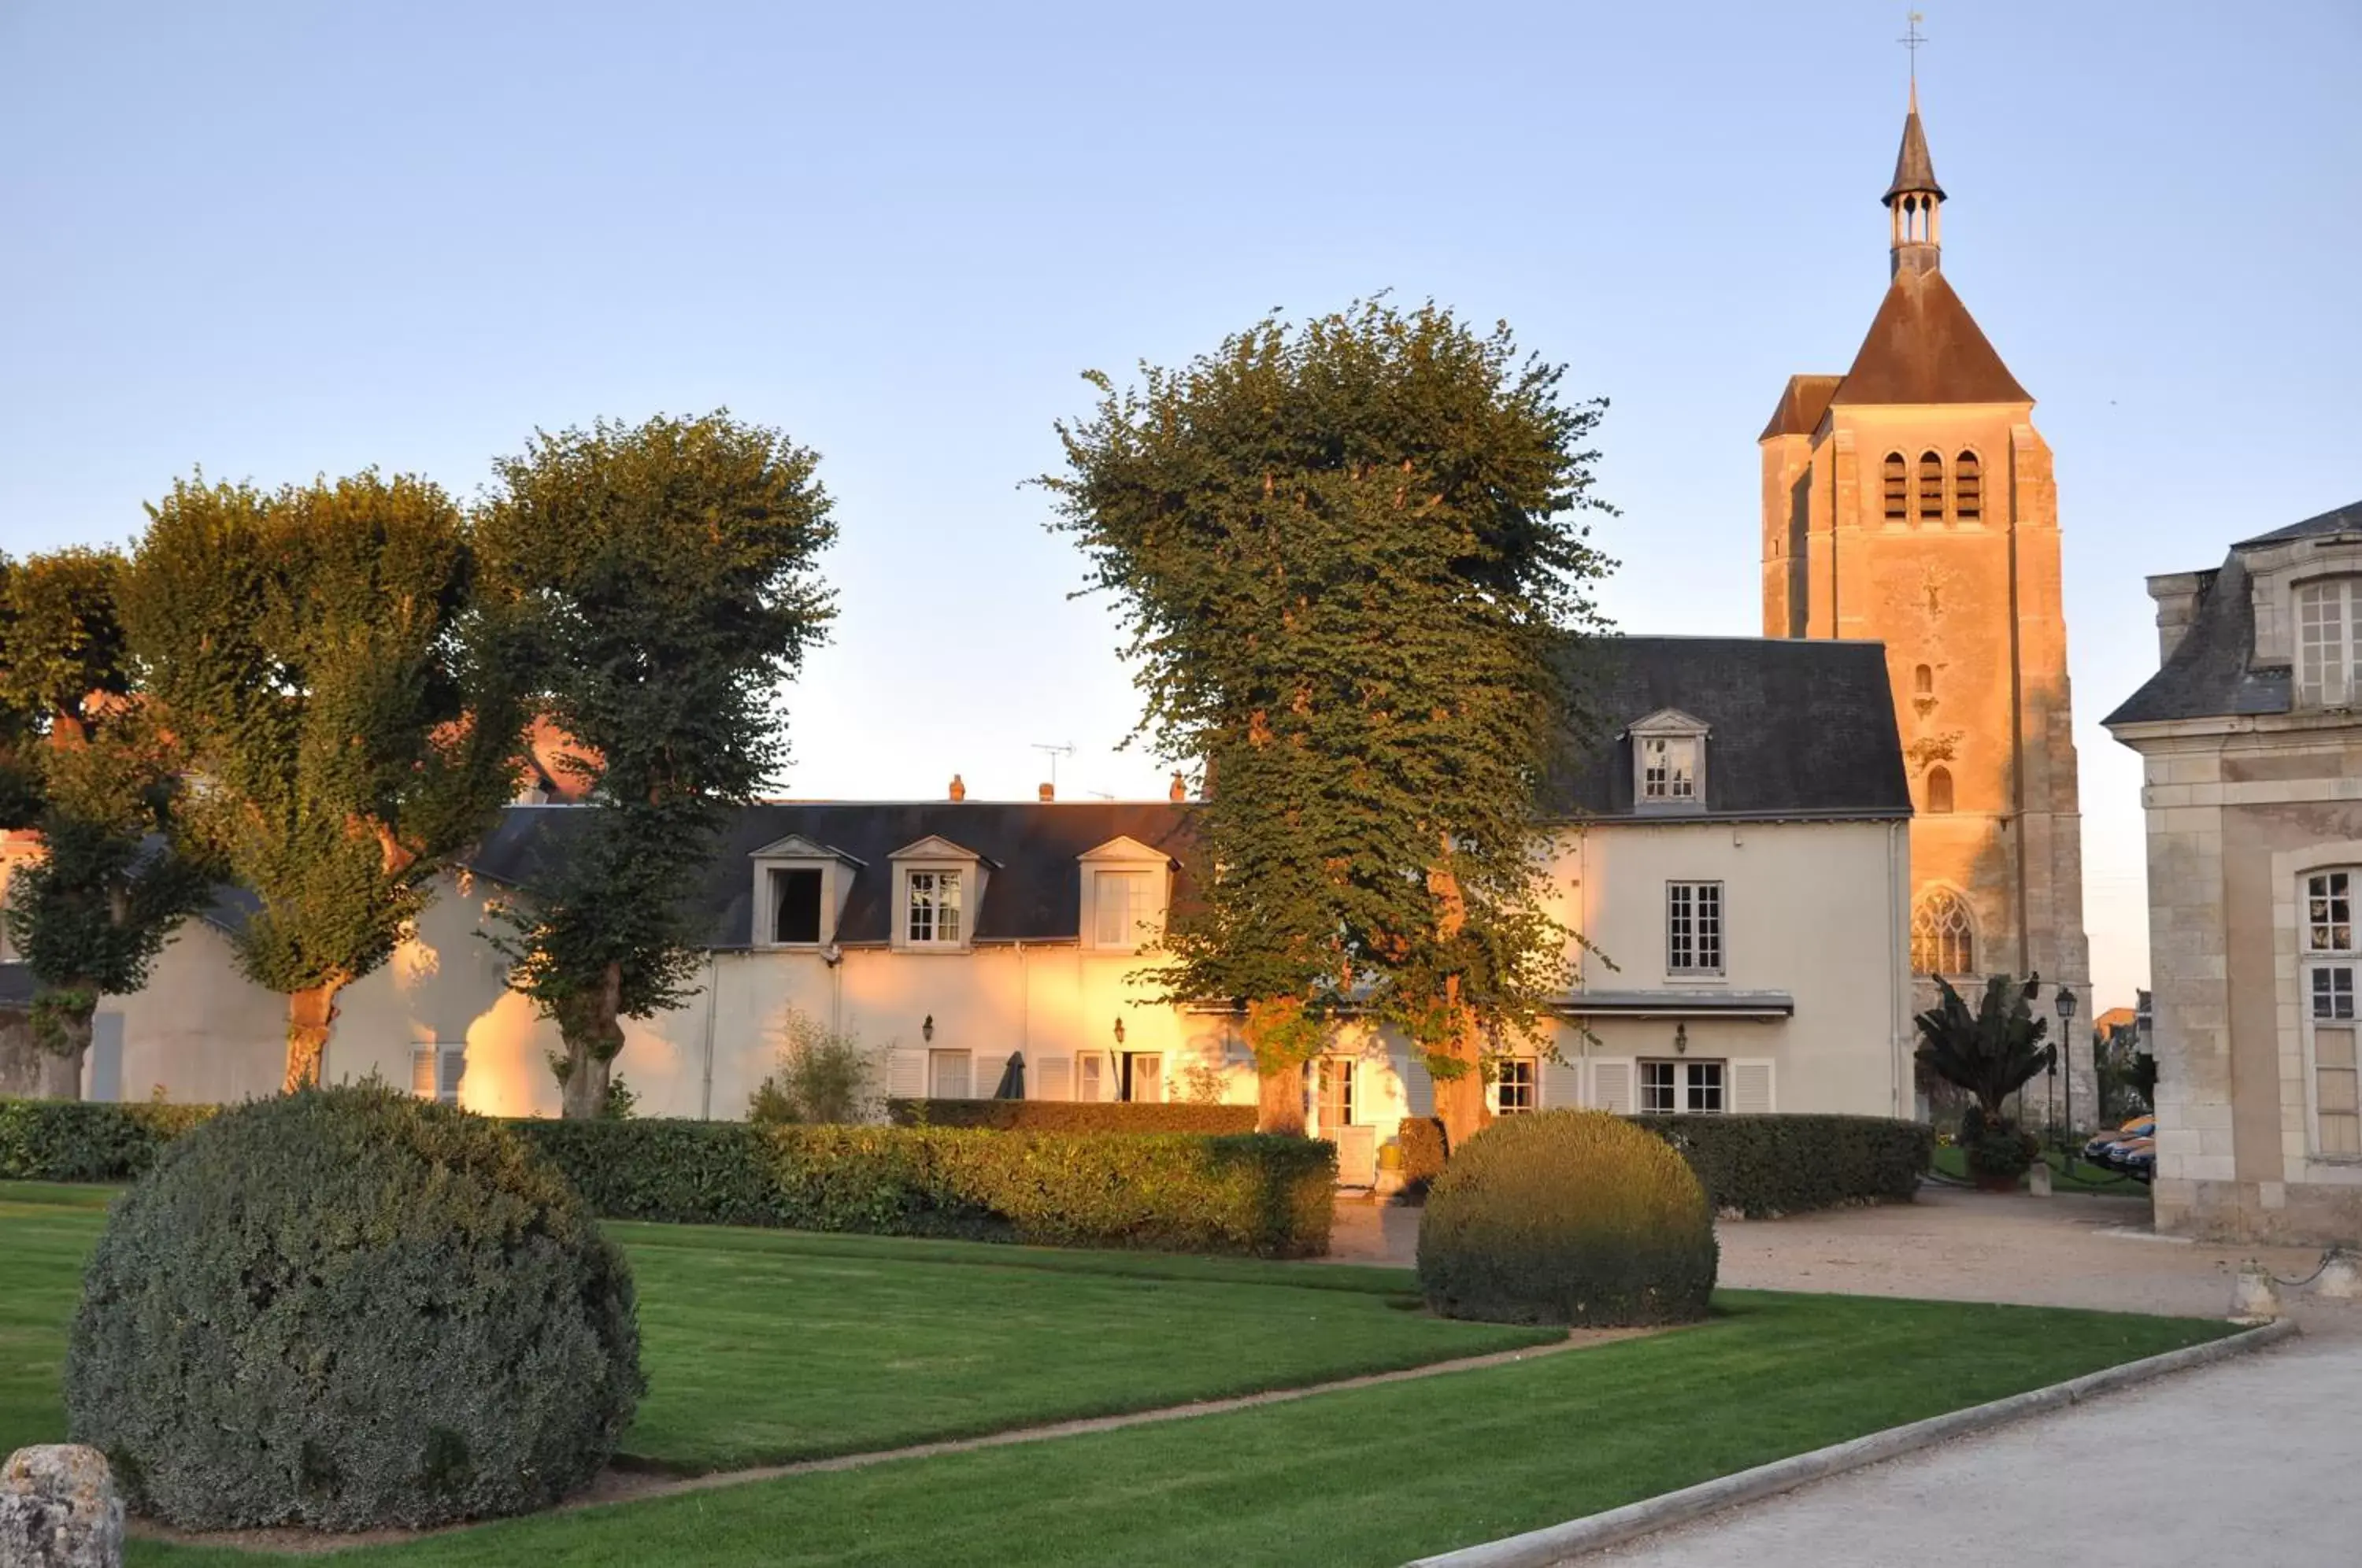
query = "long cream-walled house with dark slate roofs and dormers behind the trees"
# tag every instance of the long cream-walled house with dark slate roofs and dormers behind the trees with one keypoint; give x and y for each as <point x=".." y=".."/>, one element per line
<point x="1735" y="847"/>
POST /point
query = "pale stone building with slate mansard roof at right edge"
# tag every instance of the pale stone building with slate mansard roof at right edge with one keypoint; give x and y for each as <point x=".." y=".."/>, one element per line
<point x="2252" y="747"/>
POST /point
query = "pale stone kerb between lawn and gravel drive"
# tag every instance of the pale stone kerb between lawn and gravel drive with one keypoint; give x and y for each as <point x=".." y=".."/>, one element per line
<point x="1574" y="1538"/>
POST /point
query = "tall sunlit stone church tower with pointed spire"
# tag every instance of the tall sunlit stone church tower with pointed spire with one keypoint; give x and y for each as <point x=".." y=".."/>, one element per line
<point x="1912" y="502"/>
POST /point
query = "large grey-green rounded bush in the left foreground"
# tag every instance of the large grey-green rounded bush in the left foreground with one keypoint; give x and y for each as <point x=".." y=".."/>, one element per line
<point x="353" y="1309"/>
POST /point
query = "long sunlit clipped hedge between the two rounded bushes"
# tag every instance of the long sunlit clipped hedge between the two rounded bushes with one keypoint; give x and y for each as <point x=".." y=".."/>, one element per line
<point x="1159" y="1191"/>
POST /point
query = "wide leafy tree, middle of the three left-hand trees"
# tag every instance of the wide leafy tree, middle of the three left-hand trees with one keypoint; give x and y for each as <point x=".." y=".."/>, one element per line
<point x="351" y="714"/>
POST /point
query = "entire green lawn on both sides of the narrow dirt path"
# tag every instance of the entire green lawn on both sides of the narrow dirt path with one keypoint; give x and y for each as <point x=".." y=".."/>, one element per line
<point x="771" y="1345"/>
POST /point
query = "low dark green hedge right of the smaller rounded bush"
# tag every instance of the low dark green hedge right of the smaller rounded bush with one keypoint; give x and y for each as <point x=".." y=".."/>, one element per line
<point x="1782" y="1163"/>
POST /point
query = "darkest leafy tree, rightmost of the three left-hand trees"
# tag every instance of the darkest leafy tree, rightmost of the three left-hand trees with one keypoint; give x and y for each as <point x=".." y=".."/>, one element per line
<point x="667" y="580"/>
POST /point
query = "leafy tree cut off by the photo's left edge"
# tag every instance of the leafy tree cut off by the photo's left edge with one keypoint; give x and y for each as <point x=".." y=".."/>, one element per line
<point x="96" y="778"/>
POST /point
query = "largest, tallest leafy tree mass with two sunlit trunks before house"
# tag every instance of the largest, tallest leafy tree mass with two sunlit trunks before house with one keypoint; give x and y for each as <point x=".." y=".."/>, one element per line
<point x="1352" y="568"/>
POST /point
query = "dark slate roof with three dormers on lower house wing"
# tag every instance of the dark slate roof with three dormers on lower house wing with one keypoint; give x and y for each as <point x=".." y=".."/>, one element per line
<point x="1033" y="891"/>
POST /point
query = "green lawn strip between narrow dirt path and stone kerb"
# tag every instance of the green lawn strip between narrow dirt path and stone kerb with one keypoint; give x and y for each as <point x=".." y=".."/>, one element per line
<point x="1362" y="1477"/>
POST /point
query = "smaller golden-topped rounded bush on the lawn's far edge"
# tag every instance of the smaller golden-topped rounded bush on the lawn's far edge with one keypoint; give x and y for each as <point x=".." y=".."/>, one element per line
<point x="1567" y="1217"/>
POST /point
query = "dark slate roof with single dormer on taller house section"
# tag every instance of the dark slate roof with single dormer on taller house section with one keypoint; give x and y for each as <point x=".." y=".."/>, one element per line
<point x="1796" y="729"/>
